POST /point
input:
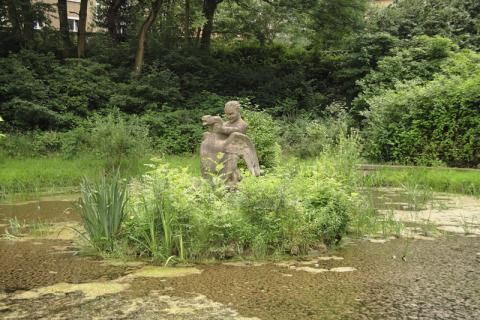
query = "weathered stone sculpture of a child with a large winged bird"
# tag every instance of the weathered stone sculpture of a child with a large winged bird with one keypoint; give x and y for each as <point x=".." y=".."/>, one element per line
<point x="224" y="144"/>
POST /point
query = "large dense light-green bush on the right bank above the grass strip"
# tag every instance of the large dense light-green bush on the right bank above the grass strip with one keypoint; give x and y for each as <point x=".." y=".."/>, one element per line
<point x="431" y="121"/>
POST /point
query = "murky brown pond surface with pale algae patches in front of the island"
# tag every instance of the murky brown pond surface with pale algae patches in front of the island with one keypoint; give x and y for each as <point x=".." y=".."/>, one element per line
<point x="398" y="279"/>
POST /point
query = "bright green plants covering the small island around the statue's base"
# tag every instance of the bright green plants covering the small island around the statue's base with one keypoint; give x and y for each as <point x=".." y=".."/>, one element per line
<point x="172" y="214"/>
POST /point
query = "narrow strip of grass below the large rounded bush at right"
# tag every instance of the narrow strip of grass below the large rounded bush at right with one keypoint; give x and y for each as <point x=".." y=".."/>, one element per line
<point x="434" y="179"/>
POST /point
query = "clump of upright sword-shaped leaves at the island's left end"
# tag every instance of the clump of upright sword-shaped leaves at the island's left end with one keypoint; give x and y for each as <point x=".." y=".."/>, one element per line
<point x="102" y="209"/>
